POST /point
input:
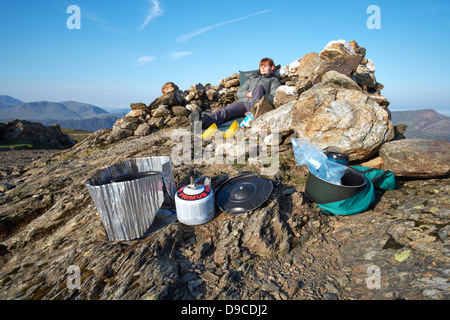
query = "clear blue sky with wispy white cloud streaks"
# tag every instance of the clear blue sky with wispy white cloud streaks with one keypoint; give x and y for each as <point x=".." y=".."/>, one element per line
<point x="126" y="51"/>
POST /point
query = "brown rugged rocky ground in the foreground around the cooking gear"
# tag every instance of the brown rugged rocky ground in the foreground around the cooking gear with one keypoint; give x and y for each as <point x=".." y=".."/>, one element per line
<point x="286" y="250"/>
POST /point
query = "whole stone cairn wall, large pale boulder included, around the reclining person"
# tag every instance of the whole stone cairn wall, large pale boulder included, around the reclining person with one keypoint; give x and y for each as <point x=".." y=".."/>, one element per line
<point x="331" y="98"/>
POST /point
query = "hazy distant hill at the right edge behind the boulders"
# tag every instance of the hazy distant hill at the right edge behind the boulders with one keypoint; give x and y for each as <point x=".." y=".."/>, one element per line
<point x="423" y="124"/>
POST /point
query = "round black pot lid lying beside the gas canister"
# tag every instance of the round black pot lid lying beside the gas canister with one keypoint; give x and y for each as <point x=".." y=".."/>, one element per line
<point x="243" y="193"/>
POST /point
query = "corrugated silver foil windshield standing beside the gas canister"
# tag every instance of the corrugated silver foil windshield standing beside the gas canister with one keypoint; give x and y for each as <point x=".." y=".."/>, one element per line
<point x="128" y="208"/>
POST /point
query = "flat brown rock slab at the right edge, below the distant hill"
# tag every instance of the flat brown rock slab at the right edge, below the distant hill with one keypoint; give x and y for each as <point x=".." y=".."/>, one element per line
<point x="417" y="158"/>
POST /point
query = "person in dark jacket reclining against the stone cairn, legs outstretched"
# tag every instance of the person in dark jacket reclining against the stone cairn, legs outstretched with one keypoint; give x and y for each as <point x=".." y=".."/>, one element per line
<point x="262" y="83"/>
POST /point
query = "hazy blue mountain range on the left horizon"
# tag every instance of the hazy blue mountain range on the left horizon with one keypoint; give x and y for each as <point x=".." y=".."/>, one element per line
<point x="69" y="114"/>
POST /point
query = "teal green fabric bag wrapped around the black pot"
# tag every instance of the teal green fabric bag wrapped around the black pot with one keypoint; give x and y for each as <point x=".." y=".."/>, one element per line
<point x="376" y="179"/>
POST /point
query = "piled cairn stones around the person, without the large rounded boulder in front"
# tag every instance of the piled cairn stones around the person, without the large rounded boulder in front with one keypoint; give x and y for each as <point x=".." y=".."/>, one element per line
<point x="173" y="107"/>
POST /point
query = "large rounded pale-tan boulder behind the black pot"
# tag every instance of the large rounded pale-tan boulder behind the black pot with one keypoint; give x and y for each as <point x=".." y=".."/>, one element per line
<point x="330" y="115"/>
